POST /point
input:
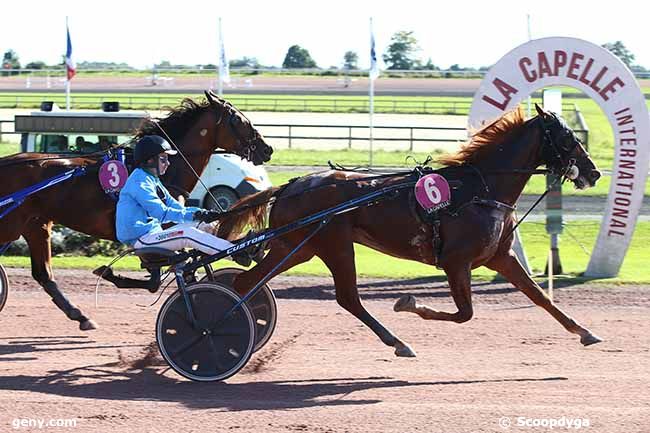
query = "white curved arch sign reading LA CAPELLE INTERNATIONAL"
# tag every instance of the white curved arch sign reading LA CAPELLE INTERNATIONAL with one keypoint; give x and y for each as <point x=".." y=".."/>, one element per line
<point x="560" y="61"/>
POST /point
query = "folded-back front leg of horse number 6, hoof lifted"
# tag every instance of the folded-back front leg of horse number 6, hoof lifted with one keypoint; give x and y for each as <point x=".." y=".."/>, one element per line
<point x="461" y="291"/>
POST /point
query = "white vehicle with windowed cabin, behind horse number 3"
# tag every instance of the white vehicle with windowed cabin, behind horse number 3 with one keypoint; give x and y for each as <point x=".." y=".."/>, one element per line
<point x="227" y="176"/>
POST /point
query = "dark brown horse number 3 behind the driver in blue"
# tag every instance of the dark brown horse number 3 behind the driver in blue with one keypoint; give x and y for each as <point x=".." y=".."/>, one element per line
<point x="198" y="129"/>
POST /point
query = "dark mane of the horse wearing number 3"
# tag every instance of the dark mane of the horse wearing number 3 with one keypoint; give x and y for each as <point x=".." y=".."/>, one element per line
<point x="175" y="123"/>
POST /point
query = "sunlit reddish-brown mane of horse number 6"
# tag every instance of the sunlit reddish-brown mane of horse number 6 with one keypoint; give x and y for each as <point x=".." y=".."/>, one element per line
<point x="486" y="138"/>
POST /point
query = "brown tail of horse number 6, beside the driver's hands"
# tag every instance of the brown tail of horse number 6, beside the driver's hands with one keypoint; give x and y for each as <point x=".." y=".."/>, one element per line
<point x="248" y="213"/>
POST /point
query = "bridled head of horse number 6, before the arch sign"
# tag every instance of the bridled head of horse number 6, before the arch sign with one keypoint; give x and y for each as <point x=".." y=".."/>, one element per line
<point x="563" y="152"/>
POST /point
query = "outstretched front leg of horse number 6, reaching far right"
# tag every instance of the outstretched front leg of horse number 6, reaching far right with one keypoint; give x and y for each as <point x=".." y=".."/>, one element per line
<point x="508" y="266"/>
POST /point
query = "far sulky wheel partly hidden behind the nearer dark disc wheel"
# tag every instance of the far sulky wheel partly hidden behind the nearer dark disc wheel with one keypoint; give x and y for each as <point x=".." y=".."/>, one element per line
<point x="262" y="305"/>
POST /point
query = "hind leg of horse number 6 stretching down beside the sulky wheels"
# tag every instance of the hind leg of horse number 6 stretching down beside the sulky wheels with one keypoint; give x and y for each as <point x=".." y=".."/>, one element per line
<point x="338" y="256"/>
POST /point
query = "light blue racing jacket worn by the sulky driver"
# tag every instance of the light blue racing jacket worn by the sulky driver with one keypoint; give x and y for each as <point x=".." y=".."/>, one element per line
<point x="144" y="205"/>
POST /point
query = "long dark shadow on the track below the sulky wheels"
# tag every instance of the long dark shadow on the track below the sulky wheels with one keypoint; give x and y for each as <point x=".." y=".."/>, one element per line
<point x="107" y="382"/>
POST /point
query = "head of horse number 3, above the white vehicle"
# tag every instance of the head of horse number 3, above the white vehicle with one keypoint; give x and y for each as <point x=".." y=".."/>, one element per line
<point x="239" y="136"/>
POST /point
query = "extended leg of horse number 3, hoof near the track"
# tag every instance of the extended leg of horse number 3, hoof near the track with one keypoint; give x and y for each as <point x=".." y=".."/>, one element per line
<point x="37" y="235"/>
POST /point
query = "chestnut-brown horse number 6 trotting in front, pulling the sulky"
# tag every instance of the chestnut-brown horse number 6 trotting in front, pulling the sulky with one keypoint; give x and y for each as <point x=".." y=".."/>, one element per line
<point x="476" y="230"/>
